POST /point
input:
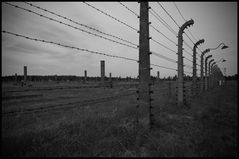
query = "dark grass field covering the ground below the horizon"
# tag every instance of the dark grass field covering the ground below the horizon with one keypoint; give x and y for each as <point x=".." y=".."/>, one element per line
<point x="207" y="128"/>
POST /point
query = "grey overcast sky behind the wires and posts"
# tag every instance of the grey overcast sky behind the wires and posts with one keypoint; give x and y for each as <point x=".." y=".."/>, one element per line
<point x="216" y="22"/>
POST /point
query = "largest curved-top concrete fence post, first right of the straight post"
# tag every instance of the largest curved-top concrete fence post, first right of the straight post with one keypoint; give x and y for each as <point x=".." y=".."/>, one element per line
<point x="180" y="83"/>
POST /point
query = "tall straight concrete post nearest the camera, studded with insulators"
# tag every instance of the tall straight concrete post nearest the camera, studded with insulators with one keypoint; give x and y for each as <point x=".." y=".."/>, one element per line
<point x="144" y="115"/>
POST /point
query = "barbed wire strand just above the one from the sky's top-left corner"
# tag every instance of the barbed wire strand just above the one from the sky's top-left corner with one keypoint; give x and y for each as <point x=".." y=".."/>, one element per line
<point x="86" y="26"/>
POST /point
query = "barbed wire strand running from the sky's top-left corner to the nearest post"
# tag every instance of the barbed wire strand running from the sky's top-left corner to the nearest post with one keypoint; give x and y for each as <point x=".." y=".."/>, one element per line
<point x="70" y="25"/>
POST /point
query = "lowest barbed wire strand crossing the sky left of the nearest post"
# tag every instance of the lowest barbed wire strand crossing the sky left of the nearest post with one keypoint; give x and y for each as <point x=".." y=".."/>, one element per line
<point x="67" y="46"/>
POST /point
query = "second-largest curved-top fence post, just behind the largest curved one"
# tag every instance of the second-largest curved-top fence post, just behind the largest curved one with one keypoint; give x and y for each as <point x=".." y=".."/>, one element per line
<point x="194" y="65"/>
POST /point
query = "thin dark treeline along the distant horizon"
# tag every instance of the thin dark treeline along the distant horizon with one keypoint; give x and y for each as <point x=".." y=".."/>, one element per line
<point x="81" y="78"/>
